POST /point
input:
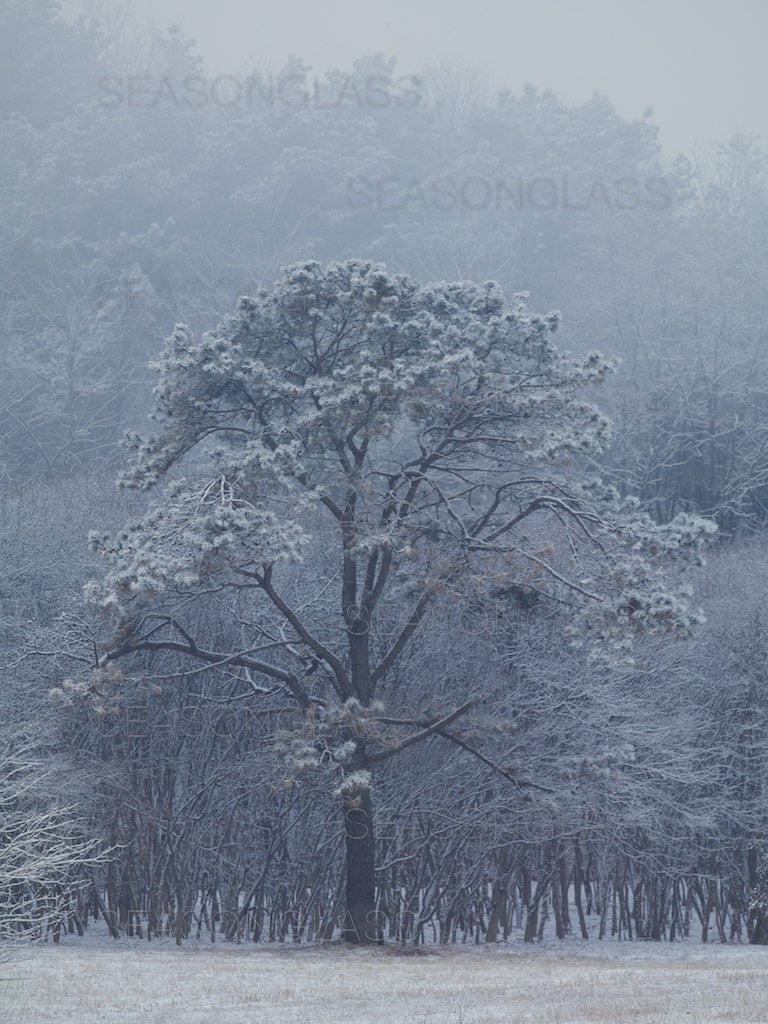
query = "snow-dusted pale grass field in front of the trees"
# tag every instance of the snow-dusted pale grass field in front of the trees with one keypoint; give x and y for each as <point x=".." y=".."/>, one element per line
<point x="569" y="985"/>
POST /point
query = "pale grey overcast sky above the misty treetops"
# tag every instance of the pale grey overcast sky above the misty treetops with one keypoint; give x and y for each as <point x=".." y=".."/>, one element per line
<point x="700" y="64"/>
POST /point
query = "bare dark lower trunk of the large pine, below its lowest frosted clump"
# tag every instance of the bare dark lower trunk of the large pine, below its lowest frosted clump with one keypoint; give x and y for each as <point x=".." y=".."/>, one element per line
<point x="361" y="924"/>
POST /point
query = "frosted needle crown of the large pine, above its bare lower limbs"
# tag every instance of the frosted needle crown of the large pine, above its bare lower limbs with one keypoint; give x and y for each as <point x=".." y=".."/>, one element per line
<point x="413" y="419"/>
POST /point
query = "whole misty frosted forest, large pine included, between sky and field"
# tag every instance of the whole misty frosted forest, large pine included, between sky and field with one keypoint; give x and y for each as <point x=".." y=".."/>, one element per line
<point x="383" y="507"/>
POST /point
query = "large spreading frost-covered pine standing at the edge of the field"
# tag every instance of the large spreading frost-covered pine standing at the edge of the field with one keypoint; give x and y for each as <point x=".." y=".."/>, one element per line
<point x="359" y="451"/>
